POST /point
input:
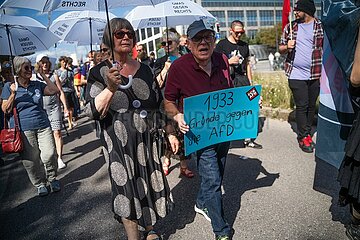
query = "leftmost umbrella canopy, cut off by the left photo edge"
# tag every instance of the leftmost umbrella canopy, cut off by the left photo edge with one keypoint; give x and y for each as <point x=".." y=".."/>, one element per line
<point x="22" y="35"/>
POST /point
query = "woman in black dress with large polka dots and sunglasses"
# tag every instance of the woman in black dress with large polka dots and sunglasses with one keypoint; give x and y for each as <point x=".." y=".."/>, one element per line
<point x="130" y="119"/>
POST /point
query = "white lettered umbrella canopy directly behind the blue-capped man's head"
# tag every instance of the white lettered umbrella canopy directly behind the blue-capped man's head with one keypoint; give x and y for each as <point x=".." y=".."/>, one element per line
<point x="169" y="13"/>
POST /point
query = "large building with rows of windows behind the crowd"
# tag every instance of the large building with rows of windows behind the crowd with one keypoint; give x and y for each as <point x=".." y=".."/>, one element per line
<point x="255" y="14"/>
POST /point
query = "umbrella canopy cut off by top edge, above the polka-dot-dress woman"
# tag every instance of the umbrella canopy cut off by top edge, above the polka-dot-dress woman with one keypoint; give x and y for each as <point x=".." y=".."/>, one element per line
<point x="71" y="5"/>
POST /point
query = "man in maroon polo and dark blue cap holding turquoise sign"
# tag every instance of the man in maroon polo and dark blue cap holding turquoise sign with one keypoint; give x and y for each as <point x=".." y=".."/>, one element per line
<point x="200" y="72"/>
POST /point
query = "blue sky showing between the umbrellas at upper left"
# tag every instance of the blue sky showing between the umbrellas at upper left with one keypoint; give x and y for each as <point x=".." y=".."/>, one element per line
<point x="67" y="49"/>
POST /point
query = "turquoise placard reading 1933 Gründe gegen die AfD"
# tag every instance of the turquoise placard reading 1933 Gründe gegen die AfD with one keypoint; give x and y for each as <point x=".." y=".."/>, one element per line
<point x="221" y="116"/>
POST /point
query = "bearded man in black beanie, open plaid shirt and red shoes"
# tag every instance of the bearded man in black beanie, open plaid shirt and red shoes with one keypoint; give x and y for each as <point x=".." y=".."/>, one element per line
<point x="302" y="40"/>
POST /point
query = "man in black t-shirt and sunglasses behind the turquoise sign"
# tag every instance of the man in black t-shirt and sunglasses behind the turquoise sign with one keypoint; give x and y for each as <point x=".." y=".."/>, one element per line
<point x="237" y="52"/>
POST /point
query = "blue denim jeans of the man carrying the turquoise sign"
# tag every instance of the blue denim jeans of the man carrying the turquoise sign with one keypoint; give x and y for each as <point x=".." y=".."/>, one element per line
<point x="211" y="166"/>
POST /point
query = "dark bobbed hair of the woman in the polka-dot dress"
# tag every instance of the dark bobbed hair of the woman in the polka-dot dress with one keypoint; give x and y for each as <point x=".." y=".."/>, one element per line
<point x="116" y="24"/>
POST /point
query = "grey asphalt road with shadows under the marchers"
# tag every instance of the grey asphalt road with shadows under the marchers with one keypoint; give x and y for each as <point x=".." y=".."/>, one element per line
<point x="277" y="192"/>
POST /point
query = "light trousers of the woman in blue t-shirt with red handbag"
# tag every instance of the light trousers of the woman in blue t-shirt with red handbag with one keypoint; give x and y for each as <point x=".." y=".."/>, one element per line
<point x="39" y="152"/>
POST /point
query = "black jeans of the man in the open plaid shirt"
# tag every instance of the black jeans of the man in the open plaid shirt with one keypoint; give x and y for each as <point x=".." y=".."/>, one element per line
<point x="305" y="95"/>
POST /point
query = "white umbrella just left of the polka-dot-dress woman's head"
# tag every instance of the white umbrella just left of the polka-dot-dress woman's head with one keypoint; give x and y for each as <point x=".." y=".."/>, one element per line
<point x="83" y="27"/>
